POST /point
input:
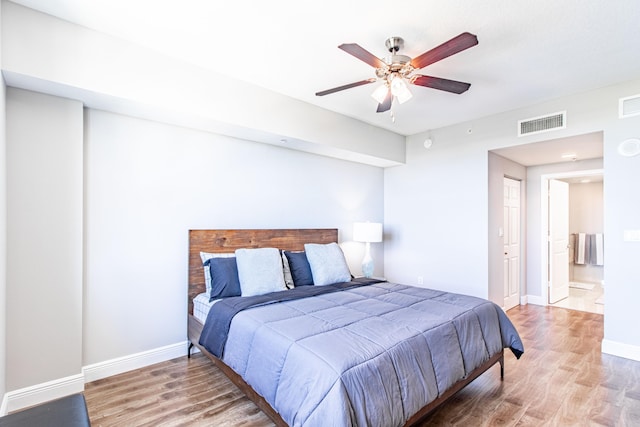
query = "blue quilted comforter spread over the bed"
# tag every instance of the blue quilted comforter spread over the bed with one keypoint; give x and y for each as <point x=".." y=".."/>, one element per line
<point x="365" y="355"/>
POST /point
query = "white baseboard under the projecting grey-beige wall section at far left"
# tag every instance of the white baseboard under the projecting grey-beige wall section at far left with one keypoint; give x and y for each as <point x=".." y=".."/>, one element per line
<point x="44" y="392"/>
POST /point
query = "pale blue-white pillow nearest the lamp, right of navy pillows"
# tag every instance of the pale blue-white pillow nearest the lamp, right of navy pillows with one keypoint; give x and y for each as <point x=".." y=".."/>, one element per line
<point x="327" y="263"/>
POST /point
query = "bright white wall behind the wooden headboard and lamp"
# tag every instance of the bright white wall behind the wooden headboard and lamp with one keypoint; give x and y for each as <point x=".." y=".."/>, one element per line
<point x="148" y="183"/>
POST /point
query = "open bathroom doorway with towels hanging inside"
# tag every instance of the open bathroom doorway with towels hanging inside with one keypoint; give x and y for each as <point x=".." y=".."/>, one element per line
<point x="584" y="276"/>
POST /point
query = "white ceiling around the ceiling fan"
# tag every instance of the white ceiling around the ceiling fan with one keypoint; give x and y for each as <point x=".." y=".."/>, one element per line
<point x="528" y="51"/>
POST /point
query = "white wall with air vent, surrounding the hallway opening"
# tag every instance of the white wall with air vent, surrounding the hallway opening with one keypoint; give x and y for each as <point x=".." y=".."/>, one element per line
<point x="436" y="205"/>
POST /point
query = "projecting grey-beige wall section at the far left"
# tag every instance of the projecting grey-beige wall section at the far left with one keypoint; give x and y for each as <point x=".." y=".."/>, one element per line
<point x="44" y="238"/>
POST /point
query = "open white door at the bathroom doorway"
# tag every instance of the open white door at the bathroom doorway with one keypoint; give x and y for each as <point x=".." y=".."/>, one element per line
<point x="558" y="240"/>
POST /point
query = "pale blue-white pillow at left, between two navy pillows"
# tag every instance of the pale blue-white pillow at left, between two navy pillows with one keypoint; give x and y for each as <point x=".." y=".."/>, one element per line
<point x="260" y="271"/>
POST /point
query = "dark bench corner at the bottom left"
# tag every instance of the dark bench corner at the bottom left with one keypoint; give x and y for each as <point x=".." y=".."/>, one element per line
<point x="69" y="411"/>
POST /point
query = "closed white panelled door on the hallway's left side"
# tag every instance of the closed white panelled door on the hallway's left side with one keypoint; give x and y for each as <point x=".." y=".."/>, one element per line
<point x="511" y="229"/>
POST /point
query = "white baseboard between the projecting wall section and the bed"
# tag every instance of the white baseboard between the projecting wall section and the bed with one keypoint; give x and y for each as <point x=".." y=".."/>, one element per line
<point x="134" y="361"/>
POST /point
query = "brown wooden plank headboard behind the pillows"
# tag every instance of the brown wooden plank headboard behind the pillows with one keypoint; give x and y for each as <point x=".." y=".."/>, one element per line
<point x="221" y="241"/>
